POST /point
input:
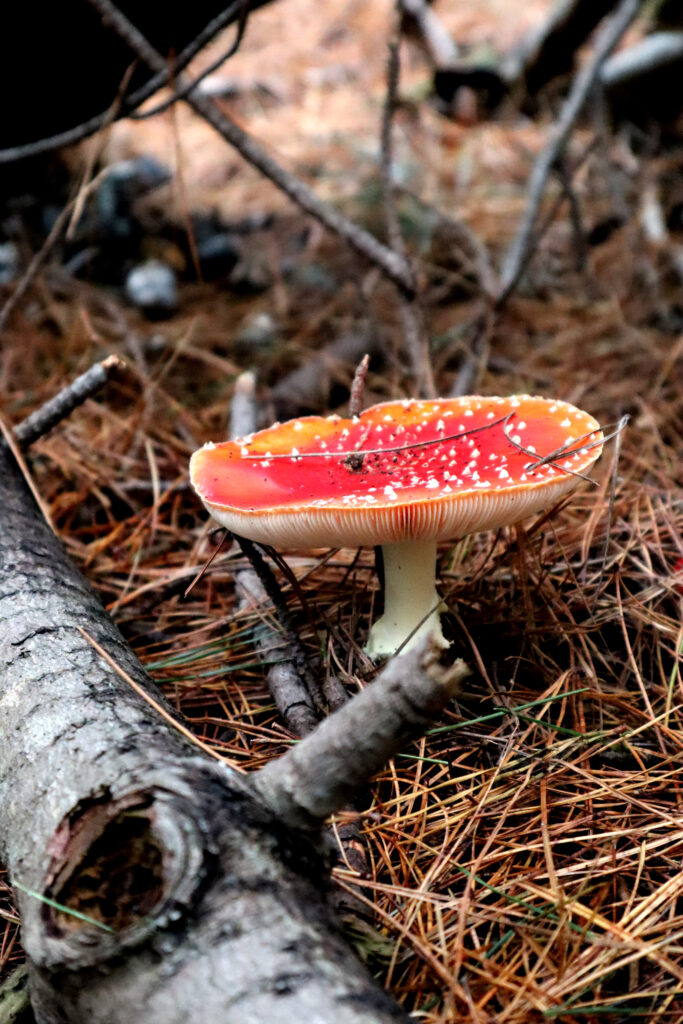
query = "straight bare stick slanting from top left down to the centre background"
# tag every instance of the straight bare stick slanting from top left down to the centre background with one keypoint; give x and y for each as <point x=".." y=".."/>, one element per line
<point x="393" y="265"/>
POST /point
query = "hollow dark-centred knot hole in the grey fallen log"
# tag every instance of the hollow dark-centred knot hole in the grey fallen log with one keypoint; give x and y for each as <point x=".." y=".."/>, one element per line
<point x="126" y="865"/>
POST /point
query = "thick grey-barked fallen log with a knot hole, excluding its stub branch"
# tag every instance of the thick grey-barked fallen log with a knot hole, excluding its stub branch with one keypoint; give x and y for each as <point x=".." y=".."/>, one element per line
<point x="211" y="908"/>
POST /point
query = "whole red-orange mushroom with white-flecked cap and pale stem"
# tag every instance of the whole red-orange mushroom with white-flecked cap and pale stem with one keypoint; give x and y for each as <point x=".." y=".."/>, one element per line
<point x="403" y="475"/>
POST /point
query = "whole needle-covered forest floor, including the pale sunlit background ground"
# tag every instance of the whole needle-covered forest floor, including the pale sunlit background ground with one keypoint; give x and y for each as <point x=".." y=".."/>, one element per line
<point x="525" y="858"/>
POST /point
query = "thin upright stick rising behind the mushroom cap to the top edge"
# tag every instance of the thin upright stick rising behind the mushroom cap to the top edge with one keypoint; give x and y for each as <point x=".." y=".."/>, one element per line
<point x="415" y="337"/>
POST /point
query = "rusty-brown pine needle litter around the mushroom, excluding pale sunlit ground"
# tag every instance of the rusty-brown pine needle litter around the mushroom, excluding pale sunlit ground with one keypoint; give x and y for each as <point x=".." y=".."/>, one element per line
<point x="527" y="857"/>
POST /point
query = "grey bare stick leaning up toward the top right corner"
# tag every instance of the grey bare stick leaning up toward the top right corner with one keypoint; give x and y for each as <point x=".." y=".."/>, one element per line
<point x="584" y="83"/>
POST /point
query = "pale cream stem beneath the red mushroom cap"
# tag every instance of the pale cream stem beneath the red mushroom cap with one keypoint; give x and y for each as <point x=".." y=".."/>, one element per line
<point x="411" y="602"/>
